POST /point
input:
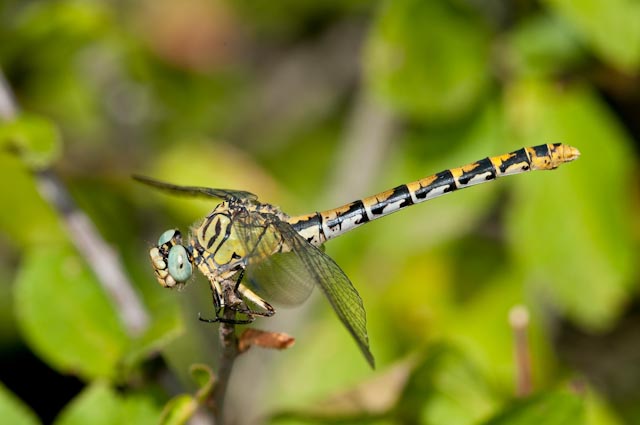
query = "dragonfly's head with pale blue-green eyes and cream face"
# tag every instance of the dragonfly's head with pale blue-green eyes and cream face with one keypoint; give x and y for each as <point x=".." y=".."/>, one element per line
<point x="172" y="262"/>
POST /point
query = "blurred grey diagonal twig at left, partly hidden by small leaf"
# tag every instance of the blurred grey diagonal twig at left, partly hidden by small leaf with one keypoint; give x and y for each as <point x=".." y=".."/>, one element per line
<point x="100" y="257"/>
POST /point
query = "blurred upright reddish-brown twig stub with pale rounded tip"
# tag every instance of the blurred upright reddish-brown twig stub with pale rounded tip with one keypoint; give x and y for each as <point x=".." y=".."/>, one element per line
<point x="519" y="321"/>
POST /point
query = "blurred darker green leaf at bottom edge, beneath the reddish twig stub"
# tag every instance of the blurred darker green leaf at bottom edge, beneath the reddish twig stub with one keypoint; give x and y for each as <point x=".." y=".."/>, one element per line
<point x="559" y="407"/>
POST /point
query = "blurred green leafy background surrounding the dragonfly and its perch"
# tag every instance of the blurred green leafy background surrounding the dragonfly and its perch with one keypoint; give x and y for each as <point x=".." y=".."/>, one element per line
<point x="310" y="105"/>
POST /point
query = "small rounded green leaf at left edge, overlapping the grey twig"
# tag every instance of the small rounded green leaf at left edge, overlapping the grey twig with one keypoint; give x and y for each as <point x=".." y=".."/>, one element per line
<point x="35" y="139"/>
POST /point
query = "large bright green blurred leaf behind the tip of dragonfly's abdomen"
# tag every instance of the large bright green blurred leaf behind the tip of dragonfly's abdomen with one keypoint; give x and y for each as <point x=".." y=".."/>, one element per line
<point x="561" y="222"/>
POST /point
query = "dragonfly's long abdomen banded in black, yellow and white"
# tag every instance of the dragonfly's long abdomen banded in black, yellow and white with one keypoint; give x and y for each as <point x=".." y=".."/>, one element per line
<point x="319" y="227"/>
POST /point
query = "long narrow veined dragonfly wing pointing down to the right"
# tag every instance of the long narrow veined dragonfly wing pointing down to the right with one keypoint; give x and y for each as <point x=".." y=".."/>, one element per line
<point x="335" y="284"/>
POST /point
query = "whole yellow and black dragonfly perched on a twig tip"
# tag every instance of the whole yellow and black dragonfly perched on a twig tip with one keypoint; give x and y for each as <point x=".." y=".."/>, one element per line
<point x="252" y="253"/>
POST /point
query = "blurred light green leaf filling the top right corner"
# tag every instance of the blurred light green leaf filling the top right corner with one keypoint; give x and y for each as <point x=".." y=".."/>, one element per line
<point x="610" y="27"/>
